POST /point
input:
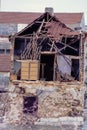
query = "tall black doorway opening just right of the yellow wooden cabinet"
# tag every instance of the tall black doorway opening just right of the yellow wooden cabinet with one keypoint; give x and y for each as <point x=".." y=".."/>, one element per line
<point x="47" y="67"/>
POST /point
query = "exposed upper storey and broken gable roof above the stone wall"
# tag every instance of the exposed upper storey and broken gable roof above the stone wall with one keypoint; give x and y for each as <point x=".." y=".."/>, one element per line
<point x="48" y="50"/>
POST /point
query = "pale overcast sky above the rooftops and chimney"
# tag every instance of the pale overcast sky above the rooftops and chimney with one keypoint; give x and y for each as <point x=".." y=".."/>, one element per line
<point x="39" y="6"/>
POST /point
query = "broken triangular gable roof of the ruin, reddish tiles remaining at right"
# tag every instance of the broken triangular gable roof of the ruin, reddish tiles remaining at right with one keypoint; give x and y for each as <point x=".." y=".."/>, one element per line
<point x="50" y="23"/>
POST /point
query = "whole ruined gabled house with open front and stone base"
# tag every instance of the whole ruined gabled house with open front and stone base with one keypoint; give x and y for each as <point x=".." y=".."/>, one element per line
<point x="47" y="71"/>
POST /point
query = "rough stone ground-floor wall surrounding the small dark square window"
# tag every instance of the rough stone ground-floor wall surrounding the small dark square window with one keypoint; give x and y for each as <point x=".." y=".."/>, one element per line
<point x="54" y="100"/>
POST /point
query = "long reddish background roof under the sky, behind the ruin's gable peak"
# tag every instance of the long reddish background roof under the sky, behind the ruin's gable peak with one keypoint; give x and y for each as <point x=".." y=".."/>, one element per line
<point x="28" y="17"/>
